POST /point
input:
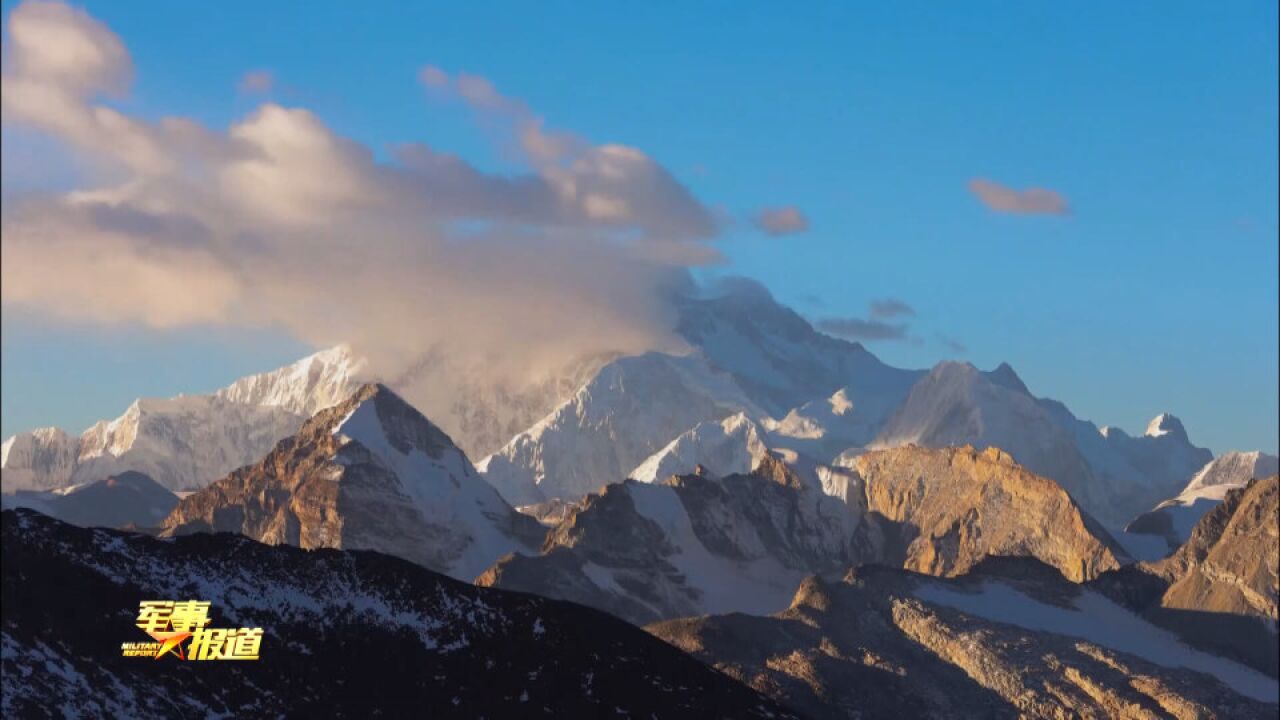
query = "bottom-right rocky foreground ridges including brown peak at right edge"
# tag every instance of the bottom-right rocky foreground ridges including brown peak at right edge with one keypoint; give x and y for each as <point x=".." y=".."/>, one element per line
<point x="1014" y="639"/>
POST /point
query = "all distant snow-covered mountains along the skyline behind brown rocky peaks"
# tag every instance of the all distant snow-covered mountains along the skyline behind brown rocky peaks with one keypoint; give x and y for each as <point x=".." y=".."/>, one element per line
<point x="811" y="394"/>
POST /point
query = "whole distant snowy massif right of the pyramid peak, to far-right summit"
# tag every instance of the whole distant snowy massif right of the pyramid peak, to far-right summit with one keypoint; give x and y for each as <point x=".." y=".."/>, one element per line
<point x="821" y="398"/>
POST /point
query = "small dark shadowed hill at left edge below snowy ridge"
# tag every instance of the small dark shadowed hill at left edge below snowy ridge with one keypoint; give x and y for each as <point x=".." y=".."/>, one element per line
<point x="129" y="499"/>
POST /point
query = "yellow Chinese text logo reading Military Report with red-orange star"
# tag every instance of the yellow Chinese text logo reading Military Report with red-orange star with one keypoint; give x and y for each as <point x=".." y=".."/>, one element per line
<point x="171" y="625"/>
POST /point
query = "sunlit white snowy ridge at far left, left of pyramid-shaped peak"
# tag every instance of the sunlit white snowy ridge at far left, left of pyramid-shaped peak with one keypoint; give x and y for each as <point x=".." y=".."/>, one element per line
<point x="189" y="441"/>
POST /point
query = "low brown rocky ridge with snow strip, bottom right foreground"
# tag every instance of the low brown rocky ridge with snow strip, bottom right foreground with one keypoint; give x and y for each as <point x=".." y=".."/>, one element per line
<point x="1013" y="640"/>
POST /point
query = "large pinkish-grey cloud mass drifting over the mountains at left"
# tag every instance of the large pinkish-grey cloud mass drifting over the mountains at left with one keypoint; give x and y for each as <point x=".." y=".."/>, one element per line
<point x="277" y="221"/>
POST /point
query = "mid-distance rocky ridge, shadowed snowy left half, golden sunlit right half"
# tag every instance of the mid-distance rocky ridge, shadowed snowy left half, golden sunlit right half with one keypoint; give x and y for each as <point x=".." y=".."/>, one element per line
<point x="693" y="545"/>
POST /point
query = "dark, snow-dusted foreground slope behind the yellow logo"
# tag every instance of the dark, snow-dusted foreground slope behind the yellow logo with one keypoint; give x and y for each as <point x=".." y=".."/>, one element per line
<point x="349" y="635"/>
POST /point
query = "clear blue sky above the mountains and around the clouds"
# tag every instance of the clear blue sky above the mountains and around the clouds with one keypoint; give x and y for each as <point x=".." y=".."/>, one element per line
<point x="1156" y="122"/>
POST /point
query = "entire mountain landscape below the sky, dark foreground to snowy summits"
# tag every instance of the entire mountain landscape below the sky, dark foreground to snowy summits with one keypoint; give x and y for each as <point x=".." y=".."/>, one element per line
<point x="898" y="544"/>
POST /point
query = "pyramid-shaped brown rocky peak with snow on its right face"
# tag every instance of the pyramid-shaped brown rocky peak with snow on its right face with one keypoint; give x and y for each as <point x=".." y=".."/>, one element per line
<point x="371" y="473"/>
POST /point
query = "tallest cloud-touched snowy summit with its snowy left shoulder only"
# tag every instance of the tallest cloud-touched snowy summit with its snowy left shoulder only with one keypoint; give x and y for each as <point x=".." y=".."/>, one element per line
<point x="748" y="354"/>
